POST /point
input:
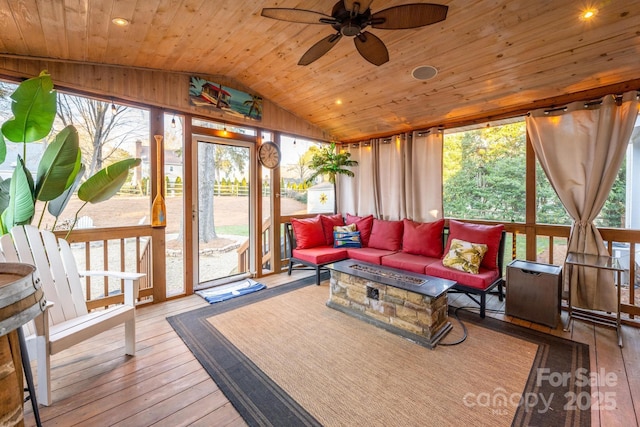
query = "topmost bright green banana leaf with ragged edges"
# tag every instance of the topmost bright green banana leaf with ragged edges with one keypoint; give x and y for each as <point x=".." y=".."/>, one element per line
<point x="34" y="109"/>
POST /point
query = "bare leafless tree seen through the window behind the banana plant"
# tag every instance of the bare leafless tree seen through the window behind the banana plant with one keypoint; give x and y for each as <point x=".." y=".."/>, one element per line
<point x="102" y="130"/>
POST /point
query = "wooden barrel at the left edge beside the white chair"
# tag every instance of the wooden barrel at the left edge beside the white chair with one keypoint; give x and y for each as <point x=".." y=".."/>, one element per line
<point x="21" y="300"/>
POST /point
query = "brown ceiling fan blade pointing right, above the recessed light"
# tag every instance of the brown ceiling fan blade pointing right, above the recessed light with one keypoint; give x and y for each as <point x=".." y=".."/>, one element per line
<point x="409" y="16"/>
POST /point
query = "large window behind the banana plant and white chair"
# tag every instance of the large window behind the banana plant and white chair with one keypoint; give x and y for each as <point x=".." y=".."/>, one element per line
<point x="107" y="133"/>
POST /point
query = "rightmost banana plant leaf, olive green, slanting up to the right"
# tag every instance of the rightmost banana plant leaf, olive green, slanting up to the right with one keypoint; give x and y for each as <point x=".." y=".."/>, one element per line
<point x="106" y="182"/>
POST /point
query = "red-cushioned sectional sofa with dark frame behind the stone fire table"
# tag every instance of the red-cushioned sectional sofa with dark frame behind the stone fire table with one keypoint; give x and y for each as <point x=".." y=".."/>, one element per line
<point x="405" y="245"/>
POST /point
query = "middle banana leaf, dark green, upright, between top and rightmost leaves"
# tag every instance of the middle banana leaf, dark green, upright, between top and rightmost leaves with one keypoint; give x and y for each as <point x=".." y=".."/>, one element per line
<point x="59" y="165"/>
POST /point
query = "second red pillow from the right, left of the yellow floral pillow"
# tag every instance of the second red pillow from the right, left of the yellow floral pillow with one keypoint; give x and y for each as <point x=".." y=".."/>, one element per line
<point x="423" y="238"/>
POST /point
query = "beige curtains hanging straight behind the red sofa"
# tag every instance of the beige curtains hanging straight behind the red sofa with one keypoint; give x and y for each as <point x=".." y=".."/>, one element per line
<point x="397" y="177"/>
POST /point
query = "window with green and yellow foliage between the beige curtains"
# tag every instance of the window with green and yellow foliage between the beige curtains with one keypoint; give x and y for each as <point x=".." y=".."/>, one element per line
<point x="484" y="172"/>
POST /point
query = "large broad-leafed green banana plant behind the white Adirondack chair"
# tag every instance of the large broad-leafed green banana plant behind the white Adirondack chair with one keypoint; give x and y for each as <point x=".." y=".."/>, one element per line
<point x="60" y="170"/>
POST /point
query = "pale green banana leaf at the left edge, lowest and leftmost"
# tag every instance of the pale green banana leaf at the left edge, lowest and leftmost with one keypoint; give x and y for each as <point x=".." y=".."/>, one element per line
<point x="22" y="204"/>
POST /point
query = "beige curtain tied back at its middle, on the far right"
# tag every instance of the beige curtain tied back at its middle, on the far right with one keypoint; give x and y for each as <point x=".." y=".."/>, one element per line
<point x="581" y="148"/>
